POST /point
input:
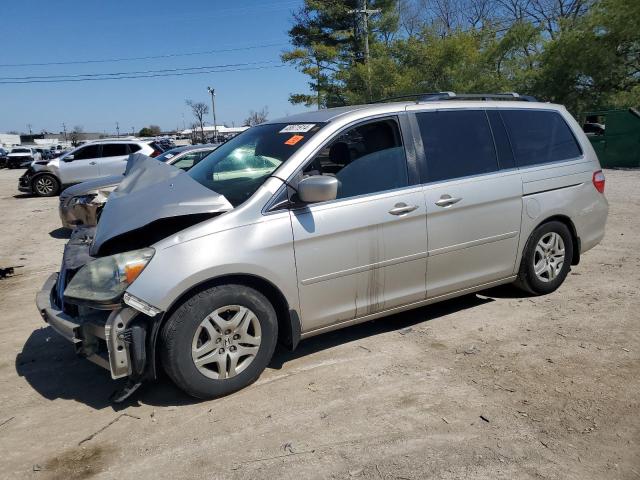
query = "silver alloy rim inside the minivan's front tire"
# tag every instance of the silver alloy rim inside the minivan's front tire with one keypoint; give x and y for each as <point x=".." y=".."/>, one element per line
<point x="226" y="342"/>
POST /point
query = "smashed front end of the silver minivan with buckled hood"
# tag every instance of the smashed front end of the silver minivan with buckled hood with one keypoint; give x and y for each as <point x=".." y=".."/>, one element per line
<point x="87" y="302"/>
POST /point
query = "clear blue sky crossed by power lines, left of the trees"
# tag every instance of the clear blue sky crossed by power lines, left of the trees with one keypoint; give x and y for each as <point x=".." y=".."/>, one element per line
<point x="39" y="31"/>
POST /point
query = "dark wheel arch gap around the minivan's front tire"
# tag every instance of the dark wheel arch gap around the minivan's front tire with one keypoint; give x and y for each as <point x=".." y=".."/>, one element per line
<point x="289" y="326"/>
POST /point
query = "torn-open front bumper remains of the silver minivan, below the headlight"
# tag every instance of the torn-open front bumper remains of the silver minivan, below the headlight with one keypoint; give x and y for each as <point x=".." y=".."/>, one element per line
<point x="106" y="338"/>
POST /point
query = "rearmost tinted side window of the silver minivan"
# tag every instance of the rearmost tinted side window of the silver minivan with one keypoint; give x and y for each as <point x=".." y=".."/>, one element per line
<point x="539" y="137"/>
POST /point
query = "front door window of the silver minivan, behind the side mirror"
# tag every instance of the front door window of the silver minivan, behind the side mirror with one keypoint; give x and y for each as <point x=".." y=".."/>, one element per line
<point x="366" y="159"/>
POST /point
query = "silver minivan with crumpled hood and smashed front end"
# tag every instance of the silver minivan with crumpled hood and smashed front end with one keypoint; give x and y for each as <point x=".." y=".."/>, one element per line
<point x="322" y="220"/>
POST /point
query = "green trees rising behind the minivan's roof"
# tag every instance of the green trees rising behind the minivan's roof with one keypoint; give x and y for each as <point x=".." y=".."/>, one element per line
<point x="584" y="54"/>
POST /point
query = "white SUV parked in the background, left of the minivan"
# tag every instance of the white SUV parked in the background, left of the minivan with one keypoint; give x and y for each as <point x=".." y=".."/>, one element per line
<point x="87" y="162"/>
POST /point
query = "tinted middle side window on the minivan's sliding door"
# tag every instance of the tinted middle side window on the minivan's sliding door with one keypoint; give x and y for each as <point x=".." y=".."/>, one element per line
<point x="457" y="144"/>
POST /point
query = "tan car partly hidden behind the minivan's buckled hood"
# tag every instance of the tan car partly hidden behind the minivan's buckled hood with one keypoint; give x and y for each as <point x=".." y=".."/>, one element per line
<point x="82" y="204"/>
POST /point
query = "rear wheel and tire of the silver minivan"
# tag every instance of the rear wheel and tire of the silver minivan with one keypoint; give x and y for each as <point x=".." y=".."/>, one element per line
<point x="543" y="268"/>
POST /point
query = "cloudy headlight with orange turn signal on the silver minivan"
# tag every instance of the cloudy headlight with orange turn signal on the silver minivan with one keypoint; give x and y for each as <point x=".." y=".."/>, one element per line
<point x="102" y="282"/>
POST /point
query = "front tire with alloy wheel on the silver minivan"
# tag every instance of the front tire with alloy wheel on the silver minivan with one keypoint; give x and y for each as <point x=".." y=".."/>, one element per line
<point x="191" y="333"/>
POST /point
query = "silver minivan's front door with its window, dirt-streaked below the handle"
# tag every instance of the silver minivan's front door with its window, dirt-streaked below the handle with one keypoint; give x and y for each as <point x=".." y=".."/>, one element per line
<point x="365" y="251"/>
